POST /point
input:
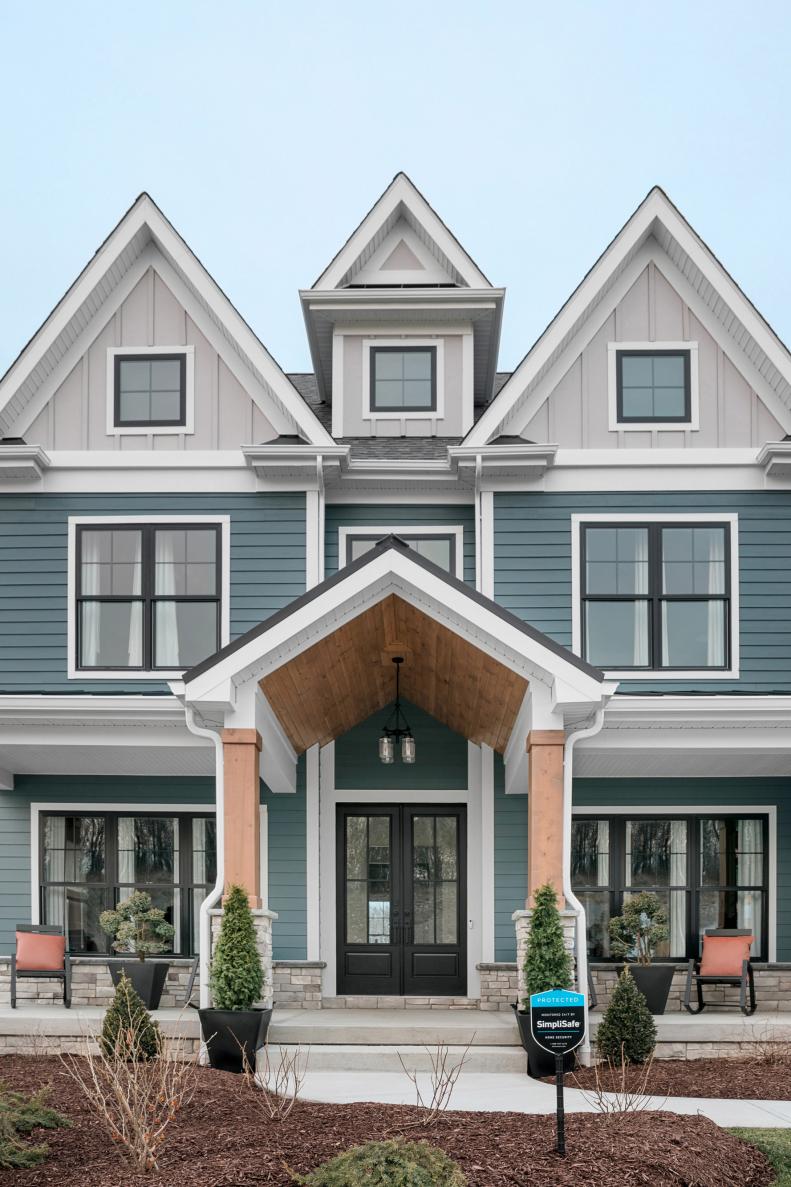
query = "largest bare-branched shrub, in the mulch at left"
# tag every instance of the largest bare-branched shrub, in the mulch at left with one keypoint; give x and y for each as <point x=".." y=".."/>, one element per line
<point x="136" y="1101"/>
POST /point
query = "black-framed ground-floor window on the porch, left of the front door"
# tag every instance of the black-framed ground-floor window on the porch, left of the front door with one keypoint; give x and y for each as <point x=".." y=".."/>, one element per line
<point x="90" y="862"/>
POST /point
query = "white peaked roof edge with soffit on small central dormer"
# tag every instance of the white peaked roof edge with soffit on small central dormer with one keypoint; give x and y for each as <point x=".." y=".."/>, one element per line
<point x="402" y="200"/>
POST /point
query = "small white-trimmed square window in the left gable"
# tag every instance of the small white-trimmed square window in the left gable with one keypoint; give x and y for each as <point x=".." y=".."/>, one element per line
<point x="150" y="391"/>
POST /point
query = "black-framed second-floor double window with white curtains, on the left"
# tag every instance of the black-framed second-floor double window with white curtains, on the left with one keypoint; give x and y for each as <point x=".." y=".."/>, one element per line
<point x="148" y="596"/>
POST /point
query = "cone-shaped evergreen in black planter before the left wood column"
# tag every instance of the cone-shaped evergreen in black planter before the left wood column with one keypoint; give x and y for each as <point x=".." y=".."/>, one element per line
<point x="235" y="1030"/>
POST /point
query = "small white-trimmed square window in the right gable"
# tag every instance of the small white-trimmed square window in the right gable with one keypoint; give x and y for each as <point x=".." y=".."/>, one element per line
<point x="654" y="386"/>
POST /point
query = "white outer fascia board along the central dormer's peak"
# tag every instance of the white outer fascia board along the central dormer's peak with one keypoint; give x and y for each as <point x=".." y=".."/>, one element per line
<point x="402" y="192"/>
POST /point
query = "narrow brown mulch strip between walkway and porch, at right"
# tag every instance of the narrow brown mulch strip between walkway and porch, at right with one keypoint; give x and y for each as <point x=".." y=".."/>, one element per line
<point x="737" y="1080"/>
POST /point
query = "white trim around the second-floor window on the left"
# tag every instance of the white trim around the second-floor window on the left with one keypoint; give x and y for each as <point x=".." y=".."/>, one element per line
<point x="74" y="671"/>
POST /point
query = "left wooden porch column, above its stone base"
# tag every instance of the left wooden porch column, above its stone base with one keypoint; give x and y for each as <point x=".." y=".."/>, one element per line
<point x="243" y="845"/>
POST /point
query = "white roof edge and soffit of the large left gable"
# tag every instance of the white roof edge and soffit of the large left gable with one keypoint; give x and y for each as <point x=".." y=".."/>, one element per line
<point x="78" y="319"/>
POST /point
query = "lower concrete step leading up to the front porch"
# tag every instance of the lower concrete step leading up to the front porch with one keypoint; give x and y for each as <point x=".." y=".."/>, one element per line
<point x="357" y="1058"/>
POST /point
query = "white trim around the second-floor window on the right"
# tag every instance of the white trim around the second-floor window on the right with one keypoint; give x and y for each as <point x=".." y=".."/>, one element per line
<point x="655" y="675"/>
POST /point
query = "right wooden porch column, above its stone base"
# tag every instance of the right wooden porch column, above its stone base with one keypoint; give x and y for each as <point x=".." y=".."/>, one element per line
<point x="546" y="813"/>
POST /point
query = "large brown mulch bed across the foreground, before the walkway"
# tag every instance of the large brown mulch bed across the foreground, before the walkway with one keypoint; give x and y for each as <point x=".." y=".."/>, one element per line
<point x="224" y="1140"/>
